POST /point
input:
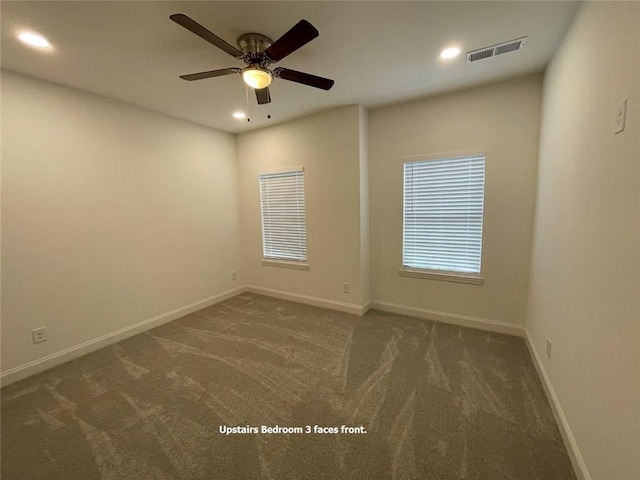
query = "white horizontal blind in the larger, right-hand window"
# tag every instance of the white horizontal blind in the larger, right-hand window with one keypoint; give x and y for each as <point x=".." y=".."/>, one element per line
<point x="443" y="209"/>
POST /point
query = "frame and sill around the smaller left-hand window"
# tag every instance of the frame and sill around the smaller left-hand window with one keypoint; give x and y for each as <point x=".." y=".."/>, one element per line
<point x="275" y="261"/>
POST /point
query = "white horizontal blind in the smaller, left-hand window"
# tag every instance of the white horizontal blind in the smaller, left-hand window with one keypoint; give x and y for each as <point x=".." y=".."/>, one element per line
<point x="284" y="234"/>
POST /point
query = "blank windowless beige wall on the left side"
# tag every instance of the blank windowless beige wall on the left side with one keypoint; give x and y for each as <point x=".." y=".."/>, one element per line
<point x="111" y="215"/>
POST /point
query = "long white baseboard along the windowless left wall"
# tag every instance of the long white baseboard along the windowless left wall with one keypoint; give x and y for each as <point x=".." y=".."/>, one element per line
<point x="58" y="358"/>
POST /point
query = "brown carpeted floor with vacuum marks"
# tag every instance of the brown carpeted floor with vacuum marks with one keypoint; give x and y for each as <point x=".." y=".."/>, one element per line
<point x="436" y="402"/>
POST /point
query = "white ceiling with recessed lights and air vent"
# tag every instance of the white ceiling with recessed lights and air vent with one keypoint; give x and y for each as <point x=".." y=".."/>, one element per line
<point x="377" y="52"/>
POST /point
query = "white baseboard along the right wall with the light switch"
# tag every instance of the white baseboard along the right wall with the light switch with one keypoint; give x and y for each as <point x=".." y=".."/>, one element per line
<point x="579" y="467"/>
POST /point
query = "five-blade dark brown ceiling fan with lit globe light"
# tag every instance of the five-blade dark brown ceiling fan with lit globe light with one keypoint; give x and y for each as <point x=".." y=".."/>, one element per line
<point x="258" y="52"/>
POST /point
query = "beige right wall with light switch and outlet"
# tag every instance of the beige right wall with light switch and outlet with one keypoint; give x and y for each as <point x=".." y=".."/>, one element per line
<point x="585" y="275"/>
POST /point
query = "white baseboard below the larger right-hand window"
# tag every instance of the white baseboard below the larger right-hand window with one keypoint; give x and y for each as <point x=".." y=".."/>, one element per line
<point x="453" y="318"/>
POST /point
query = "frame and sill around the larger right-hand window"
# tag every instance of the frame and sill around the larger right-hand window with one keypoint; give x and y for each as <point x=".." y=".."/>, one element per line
<point x="476" y="278"/>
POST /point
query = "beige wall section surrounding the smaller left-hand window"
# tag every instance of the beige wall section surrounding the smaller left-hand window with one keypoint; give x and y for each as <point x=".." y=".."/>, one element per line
<point x="327" y="145"/>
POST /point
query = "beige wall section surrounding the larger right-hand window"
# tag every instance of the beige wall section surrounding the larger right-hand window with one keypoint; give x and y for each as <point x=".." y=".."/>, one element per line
<point x="501" y="118"/>
